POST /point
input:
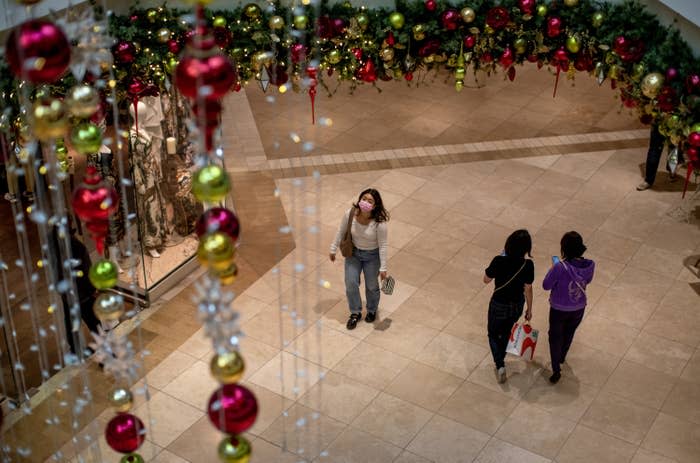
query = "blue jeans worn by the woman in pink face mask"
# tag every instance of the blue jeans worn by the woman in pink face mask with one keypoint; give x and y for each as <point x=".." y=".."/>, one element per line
<point x="367" y="262"/>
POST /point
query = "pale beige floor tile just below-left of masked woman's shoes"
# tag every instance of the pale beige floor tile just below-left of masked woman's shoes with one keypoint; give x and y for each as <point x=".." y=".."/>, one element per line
<point x="322" y="346"/>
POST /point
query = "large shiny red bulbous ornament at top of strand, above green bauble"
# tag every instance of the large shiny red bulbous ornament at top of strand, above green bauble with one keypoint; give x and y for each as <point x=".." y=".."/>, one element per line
<point x="213" y="71"/>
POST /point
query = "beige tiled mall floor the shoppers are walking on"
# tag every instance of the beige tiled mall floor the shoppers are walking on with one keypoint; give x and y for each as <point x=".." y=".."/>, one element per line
<point x="418" y="384"/>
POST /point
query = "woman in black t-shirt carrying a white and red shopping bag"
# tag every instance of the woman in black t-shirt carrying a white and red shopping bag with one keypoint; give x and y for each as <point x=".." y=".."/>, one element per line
<point x="514" y="275"/>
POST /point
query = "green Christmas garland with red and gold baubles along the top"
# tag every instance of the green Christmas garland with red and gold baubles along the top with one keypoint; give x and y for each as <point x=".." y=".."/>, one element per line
<point x="651" y="65"/>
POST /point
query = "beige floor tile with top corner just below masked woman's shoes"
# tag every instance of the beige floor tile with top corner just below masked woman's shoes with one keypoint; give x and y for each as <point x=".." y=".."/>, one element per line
<point x="371" y="365"/>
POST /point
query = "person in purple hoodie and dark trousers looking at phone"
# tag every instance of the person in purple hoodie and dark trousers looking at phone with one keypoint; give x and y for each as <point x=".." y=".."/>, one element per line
<point x="567" y="280"/>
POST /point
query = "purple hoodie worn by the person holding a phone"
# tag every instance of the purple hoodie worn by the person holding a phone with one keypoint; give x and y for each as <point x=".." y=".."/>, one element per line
<point x="562" y="279"/>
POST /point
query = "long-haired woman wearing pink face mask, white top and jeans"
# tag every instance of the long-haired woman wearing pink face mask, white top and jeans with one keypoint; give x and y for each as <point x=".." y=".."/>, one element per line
<point x="369" y="240"/>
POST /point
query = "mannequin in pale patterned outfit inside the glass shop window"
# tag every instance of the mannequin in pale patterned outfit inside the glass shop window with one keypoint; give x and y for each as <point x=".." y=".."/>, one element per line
<point x="146" y="161"/>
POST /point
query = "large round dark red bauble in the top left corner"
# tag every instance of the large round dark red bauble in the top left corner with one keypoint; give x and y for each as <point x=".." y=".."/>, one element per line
<point x="38" y="51"/>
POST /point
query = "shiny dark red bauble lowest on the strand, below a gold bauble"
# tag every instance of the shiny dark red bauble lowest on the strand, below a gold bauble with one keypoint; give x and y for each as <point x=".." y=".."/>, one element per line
<point x="232" y="409"/>
